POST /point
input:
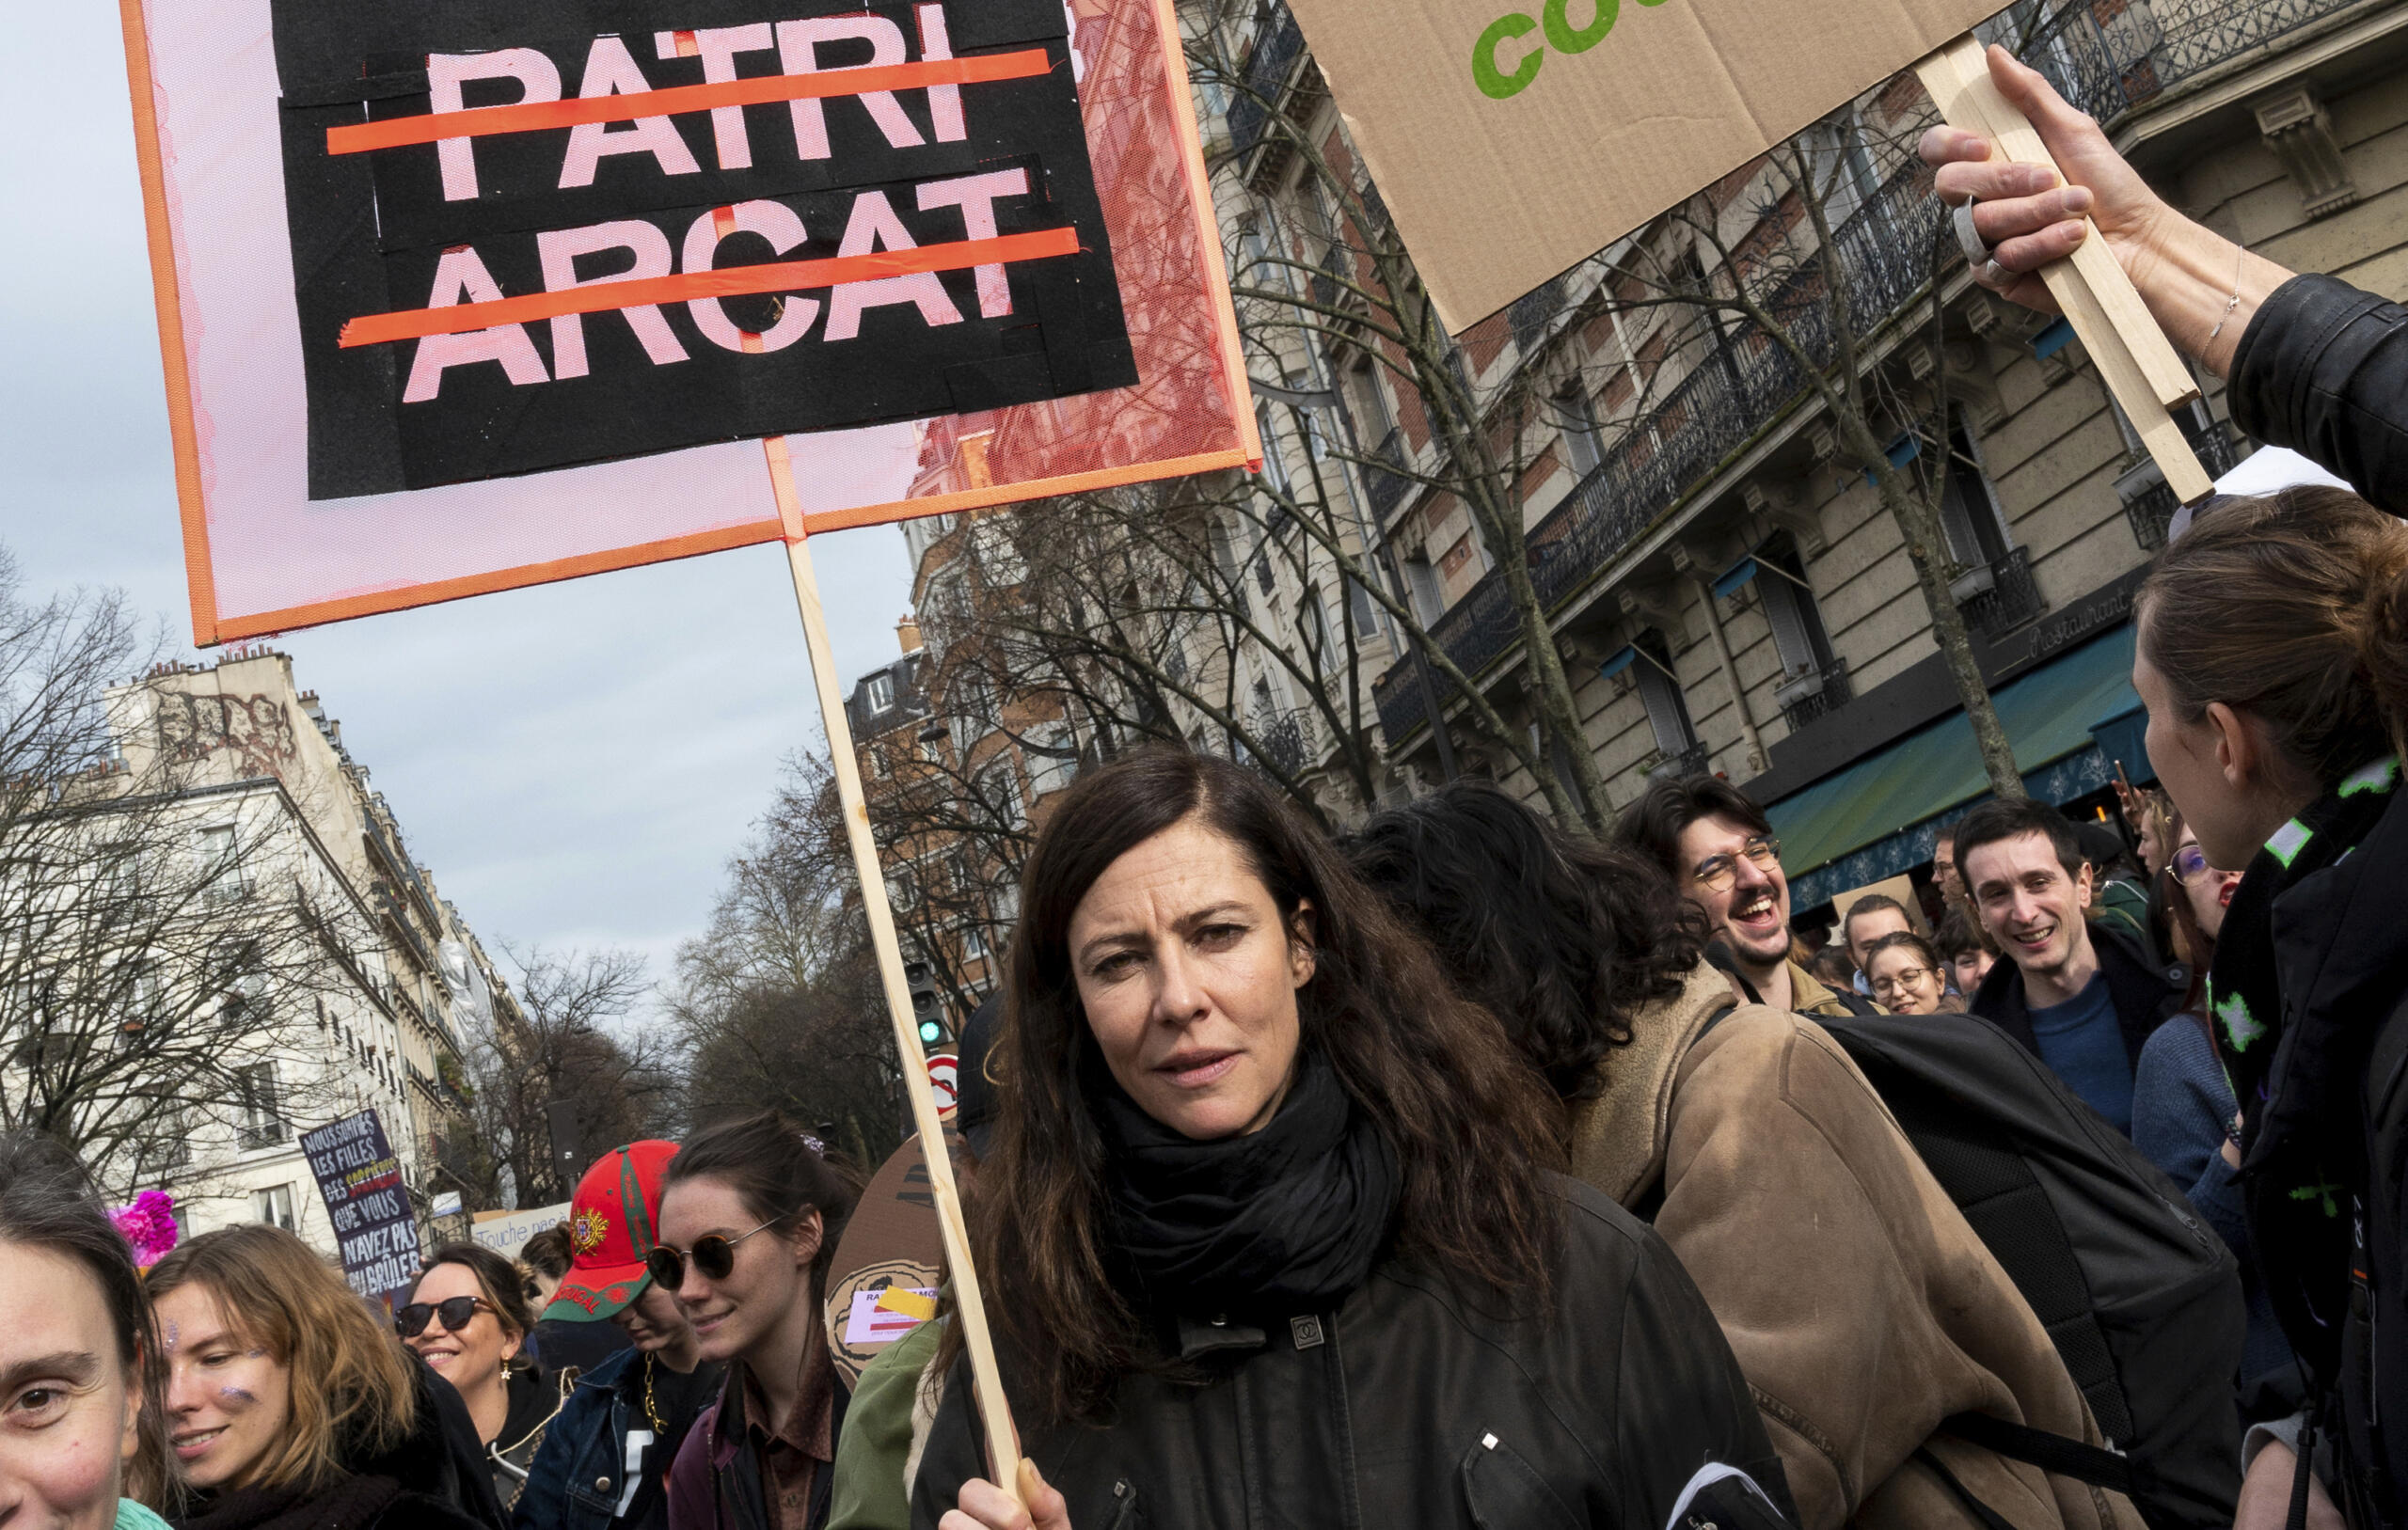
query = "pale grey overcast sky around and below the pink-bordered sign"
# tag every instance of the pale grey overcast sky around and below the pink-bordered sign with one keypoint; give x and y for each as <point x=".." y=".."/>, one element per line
<point x="577" y="761"/>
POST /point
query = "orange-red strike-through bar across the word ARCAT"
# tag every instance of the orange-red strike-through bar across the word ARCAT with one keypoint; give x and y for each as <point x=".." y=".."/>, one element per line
<point x="736" y="283"/>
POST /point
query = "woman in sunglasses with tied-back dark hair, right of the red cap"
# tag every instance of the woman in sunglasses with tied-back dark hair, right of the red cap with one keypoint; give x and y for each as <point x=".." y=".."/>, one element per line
<point x="750" y="1214"/>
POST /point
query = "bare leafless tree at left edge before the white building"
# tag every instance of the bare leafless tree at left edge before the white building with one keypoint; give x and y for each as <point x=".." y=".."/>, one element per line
<point x="148" y="968"/>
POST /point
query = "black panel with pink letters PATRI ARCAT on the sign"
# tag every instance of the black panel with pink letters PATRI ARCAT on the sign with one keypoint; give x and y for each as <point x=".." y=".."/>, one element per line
<point x="372" y="232"/>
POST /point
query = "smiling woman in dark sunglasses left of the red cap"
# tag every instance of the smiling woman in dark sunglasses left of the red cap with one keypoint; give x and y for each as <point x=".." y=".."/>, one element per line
<point x="468" y="1320"/>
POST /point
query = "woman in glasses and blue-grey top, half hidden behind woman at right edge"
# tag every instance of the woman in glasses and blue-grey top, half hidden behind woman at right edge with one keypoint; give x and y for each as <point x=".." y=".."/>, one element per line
<point x="2188" y="1122"/>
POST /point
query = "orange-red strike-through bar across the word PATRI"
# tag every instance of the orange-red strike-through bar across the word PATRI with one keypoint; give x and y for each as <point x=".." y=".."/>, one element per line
<point x="531" y="117"/>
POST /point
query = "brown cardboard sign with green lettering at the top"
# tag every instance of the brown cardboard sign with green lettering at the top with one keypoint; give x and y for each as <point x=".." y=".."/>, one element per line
<point x="1516" y="138"/>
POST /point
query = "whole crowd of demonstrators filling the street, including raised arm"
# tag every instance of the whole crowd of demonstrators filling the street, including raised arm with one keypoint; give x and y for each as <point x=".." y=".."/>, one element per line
<point x="1477" y="1173"/>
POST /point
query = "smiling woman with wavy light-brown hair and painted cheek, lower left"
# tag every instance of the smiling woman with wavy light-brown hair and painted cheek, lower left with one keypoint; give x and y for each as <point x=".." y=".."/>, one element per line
<point x="290" y="1406"/>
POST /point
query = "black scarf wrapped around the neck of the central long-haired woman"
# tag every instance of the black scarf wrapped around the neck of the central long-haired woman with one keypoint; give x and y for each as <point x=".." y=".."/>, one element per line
<point x="1287" y="1218"/>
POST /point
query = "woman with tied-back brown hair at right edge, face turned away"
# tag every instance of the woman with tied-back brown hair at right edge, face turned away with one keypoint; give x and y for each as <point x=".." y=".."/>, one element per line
<point x="2274" y="665"/>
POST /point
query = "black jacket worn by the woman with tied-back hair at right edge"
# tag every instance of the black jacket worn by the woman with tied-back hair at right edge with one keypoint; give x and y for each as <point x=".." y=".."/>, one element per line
<point x="2339" y="1089"/>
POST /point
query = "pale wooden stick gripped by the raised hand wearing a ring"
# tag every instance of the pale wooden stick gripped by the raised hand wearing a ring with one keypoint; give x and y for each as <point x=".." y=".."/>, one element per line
<point x="2108" y="316"/>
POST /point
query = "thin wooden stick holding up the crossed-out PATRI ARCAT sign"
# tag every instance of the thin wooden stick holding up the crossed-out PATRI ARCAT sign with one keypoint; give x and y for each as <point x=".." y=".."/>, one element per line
<point x="972" y="1312"/>
